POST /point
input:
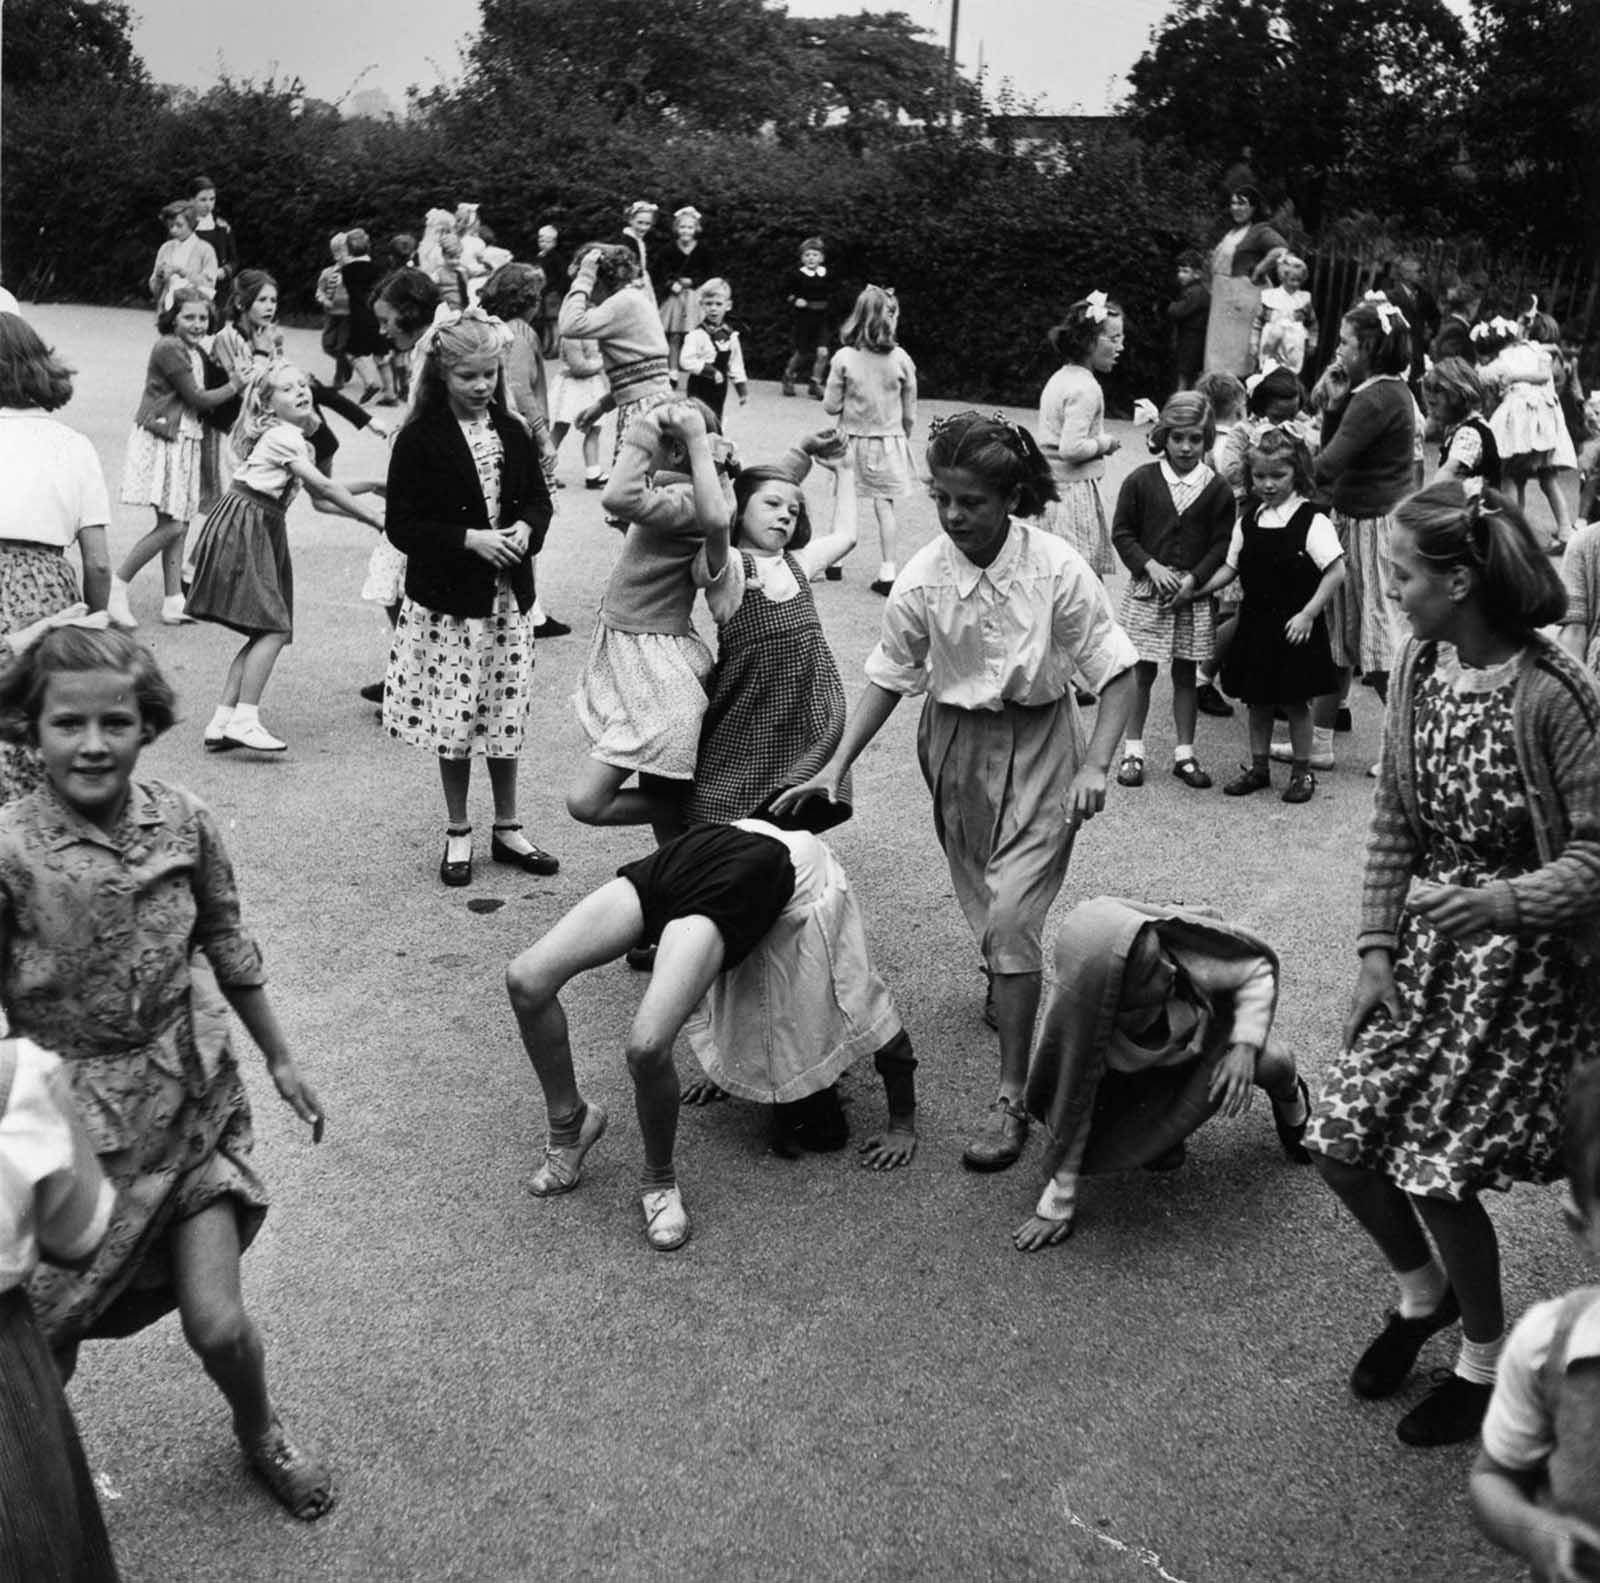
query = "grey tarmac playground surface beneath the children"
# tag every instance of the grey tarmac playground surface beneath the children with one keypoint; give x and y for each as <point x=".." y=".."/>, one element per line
<point x="844" y="1376"/>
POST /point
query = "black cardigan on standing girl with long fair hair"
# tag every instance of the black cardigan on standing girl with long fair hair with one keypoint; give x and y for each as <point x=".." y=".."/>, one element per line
<point x="434" y="499"/>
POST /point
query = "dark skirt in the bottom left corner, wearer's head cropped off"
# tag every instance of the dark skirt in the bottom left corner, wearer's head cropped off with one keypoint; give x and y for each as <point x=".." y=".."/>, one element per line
<point x="52" y="1529"/>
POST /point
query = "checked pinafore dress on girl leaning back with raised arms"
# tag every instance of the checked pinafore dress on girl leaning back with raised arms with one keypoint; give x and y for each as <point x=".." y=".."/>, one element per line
<point x="777" y="708"/>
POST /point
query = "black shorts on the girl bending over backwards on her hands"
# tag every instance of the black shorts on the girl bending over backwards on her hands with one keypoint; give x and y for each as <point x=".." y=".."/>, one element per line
<point x="735" y="878"/>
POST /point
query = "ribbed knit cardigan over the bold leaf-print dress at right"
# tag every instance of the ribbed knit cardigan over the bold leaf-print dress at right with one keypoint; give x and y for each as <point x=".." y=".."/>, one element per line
<point x="1556" y="715"/>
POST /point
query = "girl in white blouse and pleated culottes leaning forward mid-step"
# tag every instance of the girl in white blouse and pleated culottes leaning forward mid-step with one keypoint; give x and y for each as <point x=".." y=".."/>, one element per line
<point x="990" y="622"/>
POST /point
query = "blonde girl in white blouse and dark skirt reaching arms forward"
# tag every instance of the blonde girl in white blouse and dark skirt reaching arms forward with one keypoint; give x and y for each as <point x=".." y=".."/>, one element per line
<point x="244" y="577"/>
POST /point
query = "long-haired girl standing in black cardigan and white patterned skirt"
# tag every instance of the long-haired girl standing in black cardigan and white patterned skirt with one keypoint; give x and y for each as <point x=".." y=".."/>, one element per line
<point x="470" y="508"/>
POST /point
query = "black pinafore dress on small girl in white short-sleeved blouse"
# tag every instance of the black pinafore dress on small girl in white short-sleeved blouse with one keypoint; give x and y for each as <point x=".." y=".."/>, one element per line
<point x="1279" y="579"/>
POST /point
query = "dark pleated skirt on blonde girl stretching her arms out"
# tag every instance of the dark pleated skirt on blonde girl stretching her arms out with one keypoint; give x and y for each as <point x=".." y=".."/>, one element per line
<point x="244" y="575"/>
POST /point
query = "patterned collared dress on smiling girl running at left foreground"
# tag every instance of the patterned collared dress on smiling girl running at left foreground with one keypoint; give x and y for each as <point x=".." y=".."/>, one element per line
<point x="113" y="940"/>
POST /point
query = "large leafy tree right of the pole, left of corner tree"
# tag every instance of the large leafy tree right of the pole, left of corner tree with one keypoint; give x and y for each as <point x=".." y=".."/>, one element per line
<point x="1332" y="98"/>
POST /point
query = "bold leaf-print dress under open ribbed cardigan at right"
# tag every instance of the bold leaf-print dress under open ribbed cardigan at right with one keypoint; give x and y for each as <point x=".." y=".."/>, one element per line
<point x="1465" y="1091"/>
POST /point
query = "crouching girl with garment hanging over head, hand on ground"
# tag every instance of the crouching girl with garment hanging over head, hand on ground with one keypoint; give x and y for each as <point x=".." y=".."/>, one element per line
<point x="1158" y="1022"/>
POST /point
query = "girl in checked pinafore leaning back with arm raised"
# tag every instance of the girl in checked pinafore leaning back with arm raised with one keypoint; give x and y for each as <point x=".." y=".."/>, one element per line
<point x="777" y="705"/>
